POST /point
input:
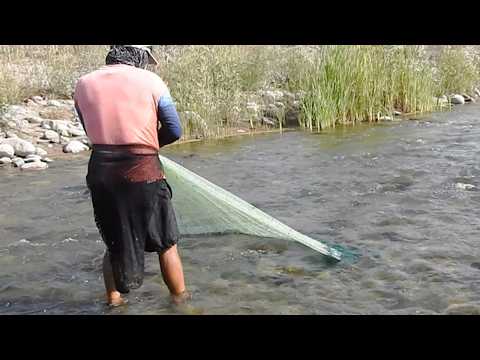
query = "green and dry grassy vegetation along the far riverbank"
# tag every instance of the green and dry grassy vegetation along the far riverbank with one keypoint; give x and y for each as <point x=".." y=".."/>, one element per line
<point x="218" y="88"/>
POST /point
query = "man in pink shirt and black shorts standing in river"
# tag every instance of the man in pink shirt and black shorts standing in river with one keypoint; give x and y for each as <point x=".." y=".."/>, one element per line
<point x="121" y="107"/>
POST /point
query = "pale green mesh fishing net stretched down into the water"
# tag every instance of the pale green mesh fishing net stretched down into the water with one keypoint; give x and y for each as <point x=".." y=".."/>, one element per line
<point x="205" y="208"/>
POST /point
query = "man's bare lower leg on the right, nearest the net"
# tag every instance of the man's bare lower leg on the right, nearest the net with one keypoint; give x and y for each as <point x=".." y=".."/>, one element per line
<point x="172" y="272"/>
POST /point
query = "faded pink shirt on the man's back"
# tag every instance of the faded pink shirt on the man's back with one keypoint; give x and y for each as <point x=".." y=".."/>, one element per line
<point x="119" y="105"/>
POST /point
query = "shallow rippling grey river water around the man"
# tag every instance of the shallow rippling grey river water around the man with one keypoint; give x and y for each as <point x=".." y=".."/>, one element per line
<point x="402" y="196"/>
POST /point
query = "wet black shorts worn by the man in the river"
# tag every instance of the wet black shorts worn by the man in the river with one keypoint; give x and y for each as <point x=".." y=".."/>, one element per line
<point x="132" y="217"/>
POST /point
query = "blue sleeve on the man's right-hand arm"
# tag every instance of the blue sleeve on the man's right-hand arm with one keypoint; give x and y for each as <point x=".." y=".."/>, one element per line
<point x="171" y="129"/>
